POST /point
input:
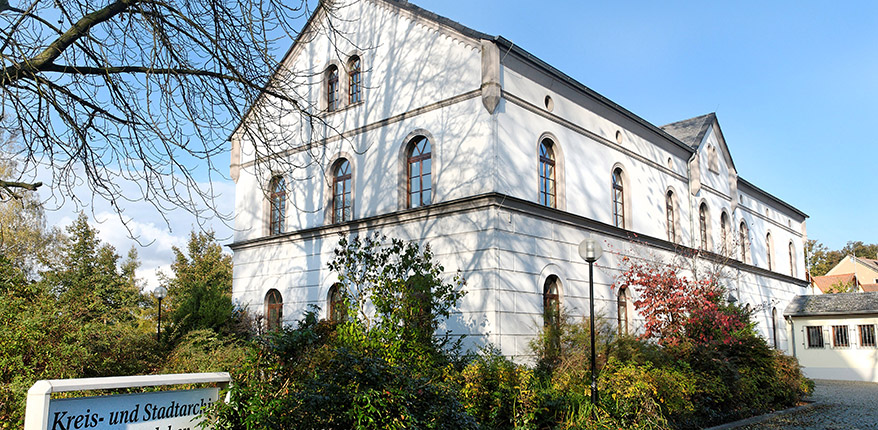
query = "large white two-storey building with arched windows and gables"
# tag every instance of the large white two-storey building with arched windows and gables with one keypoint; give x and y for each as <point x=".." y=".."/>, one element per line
<point x="515" y="163"/>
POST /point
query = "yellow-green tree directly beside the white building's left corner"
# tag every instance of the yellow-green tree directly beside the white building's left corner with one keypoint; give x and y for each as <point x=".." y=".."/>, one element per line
<point x="200" y="291"/>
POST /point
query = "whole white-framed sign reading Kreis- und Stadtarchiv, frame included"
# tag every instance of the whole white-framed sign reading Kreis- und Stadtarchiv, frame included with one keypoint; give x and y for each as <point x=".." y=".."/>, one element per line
<point x="159" y="410"/>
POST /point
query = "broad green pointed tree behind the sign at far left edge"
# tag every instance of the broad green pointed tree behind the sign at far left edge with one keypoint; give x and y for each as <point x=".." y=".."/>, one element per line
<point x="79" y="319"/>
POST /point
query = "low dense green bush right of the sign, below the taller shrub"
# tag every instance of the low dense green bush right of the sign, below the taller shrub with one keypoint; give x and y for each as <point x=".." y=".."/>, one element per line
<point x="305" y="378"/>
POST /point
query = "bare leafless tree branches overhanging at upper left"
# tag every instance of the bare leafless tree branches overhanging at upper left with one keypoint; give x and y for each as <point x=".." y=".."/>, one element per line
<point x="147" y="92"/>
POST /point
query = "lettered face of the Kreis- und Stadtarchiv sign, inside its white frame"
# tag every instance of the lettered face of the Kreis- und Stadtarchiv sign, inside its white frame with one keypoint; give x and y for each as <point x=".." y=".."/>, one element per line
<point x="163" y="410"/>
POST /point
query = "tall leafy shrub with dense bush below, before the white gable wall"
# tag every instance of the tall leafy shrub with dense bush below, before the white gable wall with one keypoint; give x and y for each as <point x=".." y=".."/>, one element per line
<point x="377" y="369"/>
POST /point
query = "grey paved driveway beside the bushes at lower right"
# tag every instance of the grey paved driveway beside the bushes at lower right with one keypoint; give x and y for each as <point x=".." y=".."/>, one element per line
<point x="842" y="406"/>
